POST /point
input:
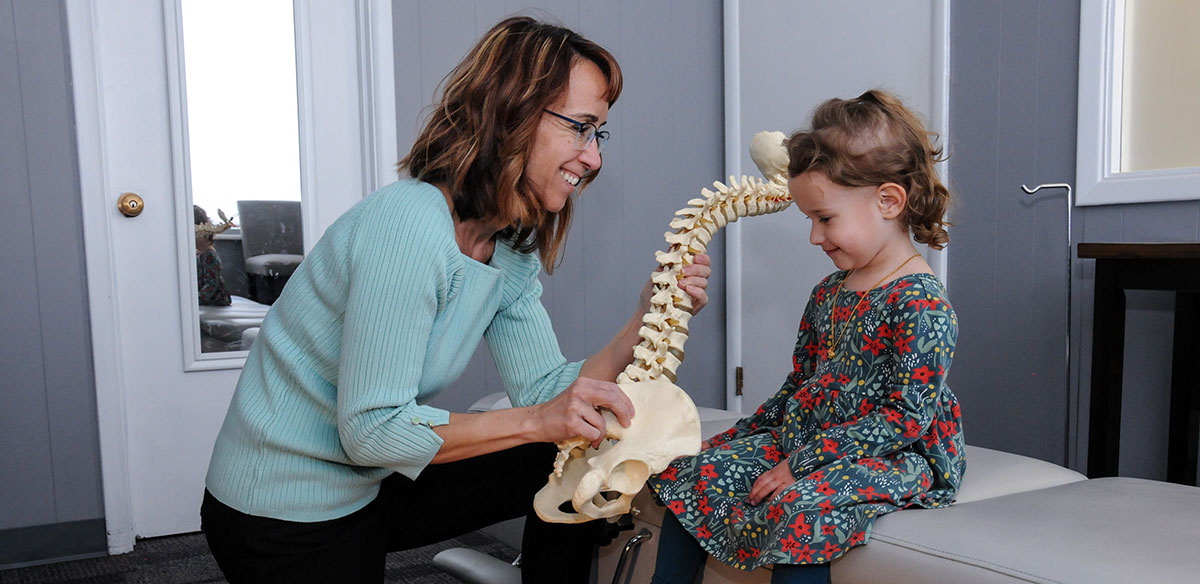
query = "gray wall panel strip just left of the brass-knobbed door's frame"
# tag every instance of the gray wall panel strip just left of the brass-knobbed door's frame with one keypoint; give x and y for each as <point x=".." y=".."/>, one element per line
<point x="61" y="262"/>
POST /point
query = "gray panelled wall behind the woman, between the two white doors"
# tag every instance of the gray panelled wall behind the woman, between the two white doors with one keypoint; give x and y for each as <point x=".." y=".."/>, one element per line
<point x="667" y="145"/>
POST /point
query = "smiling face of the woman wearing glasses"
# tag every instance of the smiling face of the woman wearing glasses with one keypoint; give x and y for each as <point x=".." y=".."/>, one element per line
<point x="556" y="165"/>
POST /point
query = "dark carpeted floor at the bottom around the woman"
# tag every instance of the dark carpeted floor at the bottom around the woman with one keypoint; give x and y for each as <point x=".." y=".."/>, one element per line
<point x="185" y="559"/>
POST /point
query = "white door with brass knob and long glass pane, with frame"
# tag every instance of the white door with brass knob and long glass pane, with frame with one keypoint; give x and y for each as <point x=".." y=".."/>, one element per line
<point x="161" y="401"/>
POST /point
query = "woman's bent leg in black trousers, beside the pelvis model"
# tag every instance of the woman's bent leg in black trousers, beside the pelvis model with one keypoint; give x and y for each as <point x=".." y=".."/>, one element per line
<point x="448" y="501"/>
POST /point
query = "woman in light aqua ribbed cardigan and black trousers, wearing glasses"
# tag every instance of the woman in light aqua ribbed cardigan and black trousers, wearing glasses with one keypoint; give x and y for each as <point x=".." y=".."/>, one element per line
<point x="328" y="457"/>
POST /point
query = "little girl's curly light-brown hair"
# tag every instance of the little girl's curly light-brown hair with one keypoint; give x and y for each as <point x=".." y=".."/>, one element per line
<point x="874" y="140"/>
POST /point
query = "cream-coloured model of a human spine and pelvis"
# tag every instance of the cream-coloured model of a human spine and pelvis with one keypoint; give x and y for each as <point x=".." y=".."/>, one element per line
<point x="667" y="425"/>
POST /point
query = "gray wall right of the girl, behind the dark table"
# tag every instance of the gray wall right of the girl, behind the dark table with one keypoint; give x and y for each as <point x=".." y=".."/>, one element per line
<point x="1013" y="101"/>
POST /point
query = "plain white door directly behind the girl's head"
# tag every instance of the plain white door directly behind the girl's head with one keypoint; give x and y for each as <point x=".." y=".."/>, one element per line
<point x="771" y="86"/>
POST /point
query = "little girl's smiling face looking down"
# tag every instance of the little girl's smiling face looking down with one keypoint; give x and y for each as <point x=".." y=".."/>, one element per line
<point x="849" y="224"/>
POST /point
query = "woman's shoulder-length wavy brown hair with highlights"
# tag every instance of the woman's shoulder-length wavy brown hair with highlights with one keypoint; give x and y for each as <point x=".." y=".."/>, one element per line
<point x="479" y="136"/>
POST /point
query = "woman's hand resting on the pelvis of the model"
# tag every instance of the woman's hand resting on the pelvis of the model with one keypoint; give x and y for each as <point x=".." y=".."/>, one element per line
<point x="575" y="412"/>
